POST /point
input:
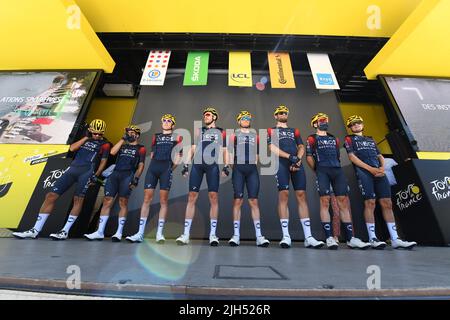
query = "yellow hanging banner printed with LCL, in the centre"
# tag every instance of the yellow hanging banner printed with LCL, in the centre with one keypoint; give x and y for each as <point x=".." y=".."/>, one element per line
<point x="240" y="69"/>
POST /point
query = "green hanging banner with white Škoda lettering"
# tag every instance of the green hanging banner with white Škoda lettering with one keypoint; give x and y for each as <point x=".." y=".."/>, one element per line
<point x="196" y="73"/>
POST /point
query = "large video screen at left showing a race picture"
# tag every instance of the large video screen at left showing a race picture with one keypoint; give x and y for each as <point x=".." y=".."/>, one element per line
<point x="41" y="107"/>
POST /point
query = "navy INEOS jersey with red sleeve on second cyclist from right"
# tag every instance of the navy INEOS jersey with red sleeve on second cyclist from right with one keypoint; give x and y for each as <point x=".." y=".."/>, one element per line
<point x="324" y="149"/>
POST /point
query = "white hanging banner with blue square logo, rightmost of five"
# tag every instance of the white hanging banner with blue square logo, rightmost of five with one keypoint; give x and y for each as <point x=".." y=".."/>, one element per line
<point x="322" y="71"/>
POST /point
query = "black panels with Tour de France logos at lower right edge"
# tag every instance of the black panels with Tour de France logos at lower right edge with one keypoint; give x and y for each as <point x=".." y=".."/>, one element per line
<point x="421" y="200"/>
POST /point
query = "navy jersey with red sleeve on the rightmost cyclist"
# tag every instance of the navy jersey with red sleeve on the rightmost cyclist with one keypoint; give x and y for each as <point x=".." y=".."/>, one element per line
<point x="364" y="147"/>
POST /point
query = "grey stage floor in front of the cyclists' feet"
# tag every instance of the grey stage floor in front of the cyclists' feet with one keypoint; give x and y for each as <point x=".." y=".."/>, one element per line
<point x="198" y="271"/>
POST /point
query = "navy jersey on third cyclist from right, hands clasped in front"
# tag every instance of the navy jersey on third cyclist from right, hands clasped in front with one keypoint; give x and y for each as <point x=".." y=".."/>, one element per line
<point x="286" y="139"/>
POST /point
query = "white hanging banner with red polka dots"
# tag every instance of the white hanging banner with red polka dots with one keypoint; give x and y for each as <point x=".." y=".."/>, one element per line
<point x="155" y="68"/>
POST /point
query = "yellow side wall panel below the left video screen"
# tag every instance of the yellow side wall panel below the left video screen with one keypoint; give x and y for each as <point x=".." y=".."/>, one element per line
<point x="20" y="169"/>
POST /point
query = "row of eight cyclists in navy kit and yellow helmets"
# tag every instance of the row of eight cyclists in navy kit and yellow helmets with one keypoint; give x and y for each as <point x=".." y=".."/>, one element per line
<point x="240" y="153"/>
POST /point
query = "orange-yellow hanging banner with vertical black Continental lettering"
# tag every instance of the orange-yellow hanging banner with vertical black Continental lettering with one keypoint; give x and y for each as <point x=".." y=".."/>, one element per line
<point x="281" y="75"/>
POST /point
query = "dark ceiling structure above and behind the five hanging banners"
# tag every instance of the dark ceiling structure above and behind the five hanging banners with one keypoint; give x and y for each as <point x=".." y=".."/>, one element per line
<point x="348" y="55"/>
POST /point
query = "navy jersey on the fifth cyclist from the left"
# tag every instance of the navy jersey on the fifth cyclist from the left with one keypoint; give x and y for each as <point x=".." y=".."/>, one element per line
<point x="245" y="146"/>
